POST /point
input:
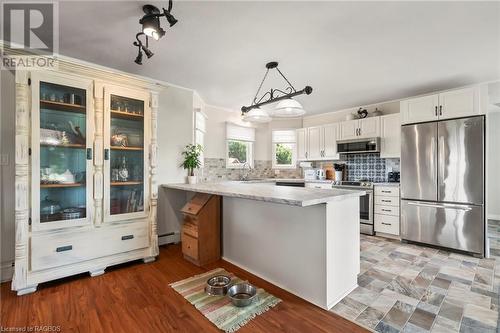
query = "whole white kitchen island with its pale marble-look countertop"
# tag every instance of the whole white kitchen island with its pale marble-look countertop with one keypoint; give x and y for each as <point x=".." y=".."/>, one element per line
<point x="303" y="240"/>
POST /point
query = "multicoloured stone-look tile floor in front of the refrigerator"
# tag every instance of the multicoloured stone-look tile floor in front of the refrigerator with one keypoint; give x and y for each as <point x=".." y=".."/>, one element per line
<point x="410" y="288"/>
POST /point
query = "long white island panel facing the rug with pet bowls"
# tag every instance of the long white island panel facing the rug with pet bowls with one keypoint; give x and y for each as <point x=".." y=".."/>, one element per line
<point x="285" y="245"/>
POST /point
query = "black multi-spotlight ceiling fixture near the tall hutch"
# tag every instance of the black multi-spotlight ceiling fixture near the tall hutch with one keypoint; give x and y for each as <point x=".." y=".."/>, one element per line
<point x="151" y="28"/>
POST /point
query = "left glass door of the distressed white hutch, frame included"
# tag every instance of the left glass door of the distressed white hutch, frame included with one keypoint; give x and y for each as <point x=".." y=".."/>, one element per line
<point x="62" y="154"/>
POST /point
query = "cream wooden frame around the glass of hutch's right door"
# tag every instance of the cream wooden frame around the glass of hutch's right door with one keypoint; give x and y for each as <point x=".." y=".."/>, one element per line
<point x="145" y="97"/>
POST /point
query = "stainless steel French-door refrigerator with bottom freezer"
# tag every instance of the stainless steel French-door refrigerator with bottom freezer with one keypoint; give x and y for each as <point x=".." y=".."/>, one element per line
<point x="442" y="184"/>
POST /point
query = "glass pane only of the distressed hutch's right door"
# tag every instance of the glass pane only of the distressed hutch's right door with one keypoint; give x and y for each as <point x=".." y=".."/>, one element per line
<point x="127" y="155"/>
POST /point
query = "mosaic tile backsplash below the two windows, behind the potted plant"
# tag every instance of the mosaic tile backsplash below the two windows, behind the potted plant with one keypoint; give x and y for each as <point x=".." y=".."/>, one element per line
<point x="215" y="170"/>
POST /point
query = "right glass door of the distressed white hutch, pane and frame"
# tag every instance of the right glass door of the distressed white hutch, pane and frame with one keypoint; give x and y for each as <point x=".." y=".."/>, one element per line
<point x="126" y="156"/>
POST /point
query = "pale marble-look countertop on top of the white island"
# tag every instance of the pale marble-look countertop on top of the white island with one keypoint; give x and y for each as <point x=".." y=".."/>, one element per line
<point x="269" y="192"/>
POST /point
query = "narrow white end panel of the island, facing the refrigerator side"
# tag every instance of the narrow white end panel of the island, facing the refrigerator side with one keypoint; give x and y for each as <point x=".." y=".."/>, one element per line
<point x="343" y="248"/>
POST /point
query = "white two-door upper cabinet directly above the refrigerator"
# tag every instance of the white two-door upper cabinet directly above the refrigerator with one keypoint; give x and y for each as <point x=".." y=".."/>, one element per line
<point x="449" y="104"/>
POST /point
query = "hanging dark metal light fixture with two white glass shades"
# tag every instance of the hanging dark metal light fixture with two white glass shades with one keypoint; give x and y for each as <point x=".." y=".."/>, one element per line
<point x="287" y="106"/>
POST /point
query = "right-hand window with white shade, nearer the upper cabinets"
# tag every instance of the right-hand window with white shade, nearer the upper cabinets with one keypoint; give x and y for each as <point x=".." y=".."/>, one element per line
<point x="284" y="149"/>
